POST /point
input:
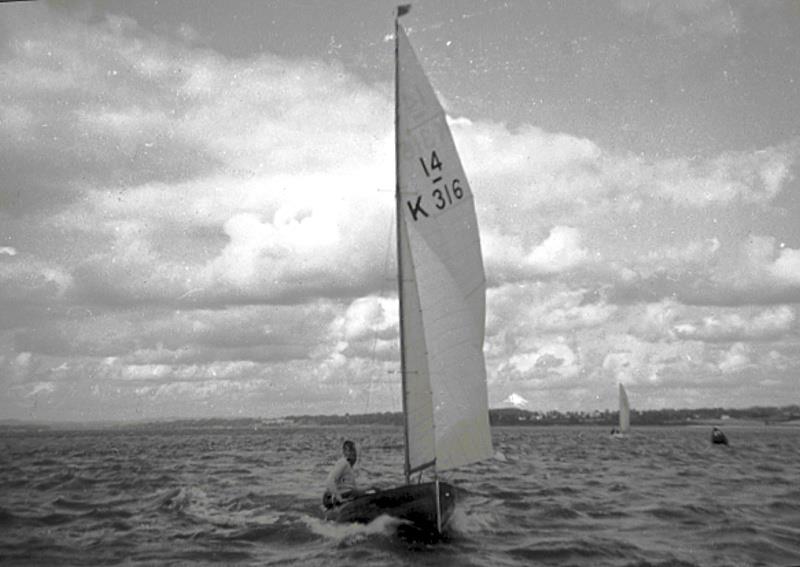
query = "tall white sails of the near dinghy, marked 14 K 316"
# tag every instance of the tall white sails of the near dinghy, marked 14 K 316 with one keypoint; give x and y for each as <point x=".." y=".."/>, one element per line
<point x="444" y="286"/>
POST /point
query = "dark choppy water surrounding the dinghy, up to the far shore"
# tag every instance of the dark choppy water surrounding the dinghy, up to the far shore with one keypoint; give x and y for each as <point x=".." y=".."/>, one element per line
<point x="564" y="496"/>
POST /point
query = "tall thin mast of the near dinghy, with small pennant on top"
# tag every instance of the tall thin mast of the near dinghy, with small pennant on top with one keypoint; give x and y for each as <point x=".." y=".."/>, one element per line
<point x="398" y="223"/>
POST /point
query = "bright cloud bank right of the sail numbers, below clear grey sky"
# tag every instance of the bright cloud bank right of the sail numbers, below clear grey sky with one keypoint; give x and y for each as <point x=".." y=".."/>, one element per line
<point x="531" y="169"/>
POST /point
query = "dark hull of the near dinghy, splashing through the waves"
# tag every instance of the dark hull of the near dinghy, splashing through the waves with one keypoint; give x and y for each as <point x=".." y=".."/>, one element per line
<point x="415" y="503"/>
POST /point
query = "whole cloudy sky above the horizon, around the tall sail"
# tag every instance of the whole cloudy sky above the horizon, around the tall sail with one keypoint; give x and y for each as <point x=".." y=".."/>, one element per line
<point x="196" y="202"/>
